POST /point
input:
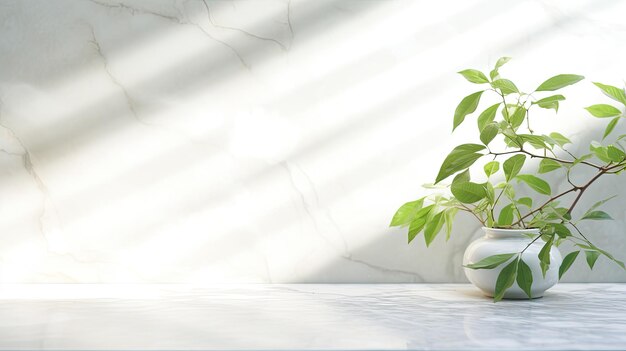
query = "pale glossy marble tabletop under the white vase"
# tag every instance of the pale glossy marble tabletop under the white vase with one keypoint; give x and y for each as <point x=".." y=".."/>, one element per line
<point x="308" y="317"/>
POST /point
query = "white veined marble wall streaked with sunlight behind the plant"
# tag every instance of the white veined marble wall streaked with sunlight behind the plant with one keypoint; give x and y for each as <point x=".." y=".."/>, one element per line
<point x="266" y="141"/>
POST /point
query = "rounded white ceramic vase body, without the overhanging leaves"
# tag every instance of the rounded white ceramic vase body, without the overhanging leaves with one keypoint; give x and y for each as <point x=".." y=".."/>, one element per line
<point x="503" y="241"/>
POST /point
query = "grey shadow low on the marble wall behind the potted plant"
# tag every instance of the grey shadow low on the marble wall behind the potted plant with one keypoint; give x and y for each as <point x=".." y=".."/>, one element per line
<point x="389" y="259"/>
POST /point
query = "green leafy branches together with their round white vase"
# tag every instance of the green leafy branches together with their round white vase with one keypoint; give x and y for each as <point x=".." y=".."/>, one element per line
<point x="518" y="256"/>
